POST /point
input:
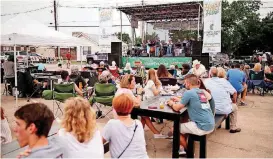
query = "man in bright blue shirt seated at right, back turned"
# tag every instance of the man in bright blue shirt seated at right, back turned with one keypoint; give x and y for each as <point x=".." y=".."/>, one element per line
<point x="238" y="80"/>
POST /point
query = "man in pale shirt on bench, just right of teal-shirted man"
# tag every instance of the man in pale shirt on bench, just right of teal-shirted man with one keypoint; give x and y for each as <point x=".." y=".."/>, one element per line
<point x="221" y="90"/>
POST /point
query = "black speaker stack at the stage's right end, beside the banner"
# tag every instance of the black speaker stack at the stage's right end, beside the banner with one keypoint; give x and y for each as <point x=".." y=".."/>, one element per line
<point x="198" y="55"/>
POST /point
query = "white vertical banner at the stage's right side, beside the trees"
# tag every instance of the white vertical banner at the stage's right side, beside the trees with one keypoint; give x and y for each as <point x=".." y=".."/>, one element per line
<point x="212" y="26"/>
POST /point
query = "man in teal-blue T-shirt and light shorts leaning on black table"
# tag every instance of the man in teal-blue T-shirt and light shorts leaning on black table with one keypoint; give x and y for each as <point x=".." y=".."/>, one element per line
<point x="198" y="107"/>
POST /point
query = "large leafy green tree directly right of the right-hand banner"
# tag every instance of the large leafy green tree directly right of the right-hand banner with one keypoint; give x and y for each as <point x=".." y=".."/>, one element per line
<point x="237" y="20"/>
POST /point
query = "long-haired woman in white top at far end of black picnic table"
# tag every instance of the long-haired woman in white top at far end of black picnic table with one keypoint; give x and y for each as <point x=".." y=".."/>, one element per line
<point x="153" y="85"/>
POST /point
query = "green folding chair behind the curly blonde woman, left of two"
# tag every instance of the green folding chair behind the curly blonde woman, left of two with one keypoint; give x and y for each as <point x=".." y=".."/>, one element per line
<point x="61" y="92"/>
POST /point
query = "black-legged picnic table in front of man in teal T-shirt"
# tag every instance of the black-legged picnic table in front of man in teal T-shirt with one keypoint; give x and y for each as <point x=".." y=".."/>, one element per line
<point x="166" y="113"/>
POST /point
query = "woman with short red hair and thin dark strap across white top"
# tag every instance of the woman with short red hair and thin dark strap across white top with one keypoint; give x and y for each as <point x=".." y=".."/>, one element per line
<point x="125" y="135"/>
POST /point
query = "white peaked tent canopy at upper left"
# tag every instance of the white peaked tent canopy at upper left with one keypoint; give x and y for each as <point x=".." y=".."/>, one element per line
<point x="22" y="30"/>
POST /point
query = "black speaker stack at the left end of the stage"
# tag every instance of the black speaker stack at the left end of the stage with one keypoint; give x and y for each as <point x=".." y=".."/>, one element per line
<point x="116" y="53"/>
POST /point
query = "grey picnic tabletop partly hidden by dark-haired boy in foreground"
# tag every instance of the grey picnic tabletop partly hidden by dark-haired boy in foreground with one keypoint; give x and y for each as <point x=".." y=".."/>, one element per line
<point x="12" y="149"/>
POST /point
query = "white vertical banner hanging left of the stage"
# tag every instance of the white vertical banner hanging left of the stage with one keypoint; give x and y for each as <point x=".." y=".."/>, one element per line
<point x="105" y="30"/>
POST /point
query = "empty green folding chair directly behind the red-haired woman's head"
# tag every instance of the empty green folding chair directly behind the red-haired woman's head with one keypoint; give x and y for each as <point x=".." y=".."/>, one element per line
<point x="104" y="94"/>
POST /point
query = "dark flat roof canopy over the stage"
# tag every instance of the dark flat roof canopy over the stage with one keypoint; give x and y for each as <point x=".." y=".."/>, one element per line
<point x="163" y="12"/>
